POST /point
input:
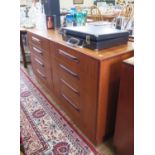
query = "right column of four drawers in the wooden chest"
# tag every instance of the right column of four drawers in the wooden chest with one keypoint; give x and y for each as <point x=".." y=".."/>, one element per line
<point x="67" y="80"/>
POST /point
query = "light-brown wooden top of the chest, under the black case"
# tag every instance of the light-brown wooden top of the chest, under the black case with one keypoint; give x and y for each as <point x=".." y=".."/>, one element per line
<point x="54" y="36"/>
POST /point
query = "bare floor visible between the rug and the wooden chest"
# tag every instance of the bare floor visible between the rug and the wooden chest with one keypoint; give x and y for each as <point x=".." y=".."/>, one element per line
<point x="105" y="148"/>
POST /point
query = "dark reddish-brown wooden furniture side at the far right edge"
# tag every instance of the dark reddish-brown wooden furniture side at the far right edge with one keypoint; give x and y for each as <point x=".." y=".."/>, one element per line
<point x="124" y="128"/>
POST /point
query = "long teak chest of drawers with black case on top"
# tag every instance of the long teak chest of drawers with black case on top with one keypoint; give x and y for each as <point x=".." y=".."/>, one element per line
<point x="84" y="83"/>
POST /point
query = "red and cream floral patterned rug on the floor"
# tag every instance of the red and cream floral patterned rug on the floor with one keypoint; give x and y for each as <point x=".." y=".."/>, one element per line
<point x="44" y="129"/>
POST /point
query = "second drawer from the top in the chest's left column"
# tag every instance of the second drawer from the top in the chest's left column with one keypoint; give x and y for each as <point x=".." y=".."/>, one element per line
<point x="39" y="52"/>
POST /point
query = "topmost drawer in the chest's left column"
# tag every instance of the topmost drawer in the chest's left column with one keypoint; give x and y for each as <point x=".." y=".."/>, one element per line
<point x="38" y="41"/>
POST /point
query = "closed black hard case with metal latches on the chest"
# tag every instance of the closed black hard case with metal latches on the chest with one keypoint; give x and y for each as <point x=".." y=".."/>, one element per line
<point x="94" y="37"/>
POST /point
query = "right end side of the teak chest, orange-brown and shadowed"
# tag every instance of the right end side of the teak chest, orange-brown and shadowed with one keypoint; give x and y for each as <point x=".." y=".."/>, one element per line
<point x="108" y="94"/>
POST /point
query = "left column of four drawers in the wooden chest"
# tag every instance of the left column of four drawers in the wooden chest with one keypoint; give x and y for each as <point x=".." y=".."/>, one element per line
<point x="39" y="48"/>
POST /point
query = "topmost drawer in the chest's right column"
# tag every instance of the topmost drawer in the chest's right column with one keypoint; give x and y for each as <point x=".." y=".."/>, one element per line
<point x="67" y="56"/>
